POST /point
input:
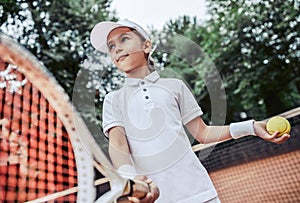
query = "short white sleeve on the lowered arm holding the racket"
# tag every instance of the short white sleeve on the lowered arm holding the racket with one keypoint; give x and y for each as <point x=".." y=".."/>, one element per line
<point x="111" y="114"/>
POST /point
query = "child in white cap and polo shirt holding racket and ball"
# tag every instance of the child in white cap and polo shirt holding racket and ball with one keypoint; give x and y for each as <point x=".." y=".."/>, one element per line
<point x="144" y="121"/>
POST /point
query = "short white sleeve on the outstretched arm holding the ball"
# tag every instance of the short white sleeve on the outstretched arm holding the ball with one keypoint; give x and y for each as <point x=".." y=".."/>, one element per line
<point x="188" y="105"/>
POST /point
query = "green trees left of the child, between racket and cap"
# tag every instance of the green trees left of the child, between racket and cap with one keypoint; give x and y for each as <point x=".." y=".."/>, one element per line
<point x="57" y="32"/>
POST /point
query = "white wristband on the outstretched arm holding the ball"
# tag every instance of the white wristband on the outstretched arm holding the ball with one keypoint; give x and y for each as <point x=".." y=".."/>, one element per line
<point x="241" y="129"/>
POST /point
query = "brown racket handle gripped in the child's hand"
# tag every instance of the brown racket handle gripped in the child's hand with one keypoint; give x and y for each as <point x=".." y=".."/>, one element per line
<point x="134" y="188"/>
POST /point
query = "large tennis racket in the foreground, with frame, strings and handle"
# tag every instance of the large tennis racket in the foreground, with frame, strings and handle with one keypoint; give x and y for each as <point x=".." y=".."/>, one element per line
<point x="48" y="153"/>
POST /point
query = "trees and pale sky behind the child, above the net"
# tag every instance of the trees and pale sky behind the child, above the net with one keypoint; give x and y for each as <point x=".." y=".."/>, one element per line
<point x="255" y="46"/>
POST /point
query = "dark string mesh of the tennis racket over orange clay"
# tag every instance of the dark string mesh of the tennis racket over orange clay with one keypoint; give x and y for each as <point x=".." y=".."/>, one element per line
<point x="36" y="156"/>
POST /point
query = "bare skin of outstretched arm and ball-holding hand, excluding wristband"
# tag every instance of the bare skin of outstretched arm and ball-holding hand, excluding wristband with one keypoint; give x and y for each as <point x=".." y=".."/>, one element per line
<point x="209" y="134"/>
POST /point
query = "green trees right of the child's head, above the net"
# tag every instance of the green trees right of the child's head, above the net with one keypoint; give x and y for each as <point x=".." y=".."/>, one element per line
<point x="255" y="47"/>
